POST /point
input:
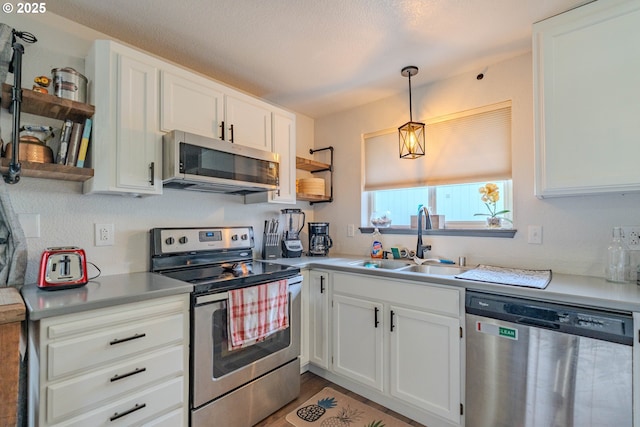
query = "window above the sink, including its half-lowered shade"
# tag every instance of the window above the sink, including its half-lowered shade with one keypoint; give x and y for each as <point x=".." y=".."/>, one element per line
<point x="464" y="151"/>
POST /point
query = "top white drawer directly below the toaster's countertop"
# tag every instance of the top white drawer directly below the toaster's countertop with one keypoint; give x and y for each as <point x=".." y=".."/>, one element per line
<point x="75" y="355"/>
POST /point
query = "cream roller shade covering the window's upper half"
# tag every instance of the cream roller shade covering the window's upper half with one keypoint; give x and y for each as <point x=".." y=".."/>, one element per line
<point x="471" y="146"/>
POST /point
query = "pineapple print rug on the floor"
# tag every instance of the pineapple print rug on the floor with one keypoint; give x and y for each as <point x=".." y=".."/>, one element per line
<point x="332" y="409"/>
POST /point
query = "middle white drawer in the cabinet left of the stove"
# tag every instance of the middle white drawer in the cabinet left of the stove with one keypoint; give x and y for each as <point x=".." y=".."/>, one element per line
<point x="83" y="393"/>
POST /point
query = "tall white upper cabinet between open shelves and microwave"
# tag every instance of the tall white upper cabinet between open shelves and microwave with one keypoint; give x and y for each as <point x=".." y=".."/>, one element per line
<point x="125" y="150"/>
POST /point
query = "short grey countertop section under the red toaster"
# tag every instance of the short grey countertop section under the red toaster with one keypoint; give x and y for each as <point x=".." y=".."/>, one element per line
<point x="101" y="292"/>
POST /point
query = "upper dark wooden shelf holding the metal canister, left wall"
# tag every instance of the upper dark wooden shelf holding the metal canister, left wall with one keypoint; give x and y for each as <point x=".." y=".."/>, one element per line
<point x="43" y="104"/>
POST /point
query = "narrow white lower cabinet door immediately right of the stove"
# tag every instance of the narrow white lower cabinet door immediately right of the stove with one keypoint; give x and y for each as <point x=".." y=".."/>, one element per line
<point x="319" y="318"/>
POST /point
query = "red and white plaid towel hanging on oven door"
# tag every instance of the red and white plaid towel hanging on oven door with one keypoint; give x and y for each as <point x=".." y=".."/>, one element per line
<point x="256" y="312"/>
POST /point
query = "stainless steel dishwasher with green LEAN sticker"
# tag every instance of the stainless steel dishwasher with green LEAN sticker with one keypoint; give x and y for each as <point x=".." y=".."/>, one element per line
<point x="538" y="364"/>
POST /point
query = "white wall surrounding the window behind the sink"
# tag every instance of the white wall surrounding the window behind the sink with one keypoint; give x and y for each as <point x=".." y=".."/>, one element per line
<point x="576" y="230"/>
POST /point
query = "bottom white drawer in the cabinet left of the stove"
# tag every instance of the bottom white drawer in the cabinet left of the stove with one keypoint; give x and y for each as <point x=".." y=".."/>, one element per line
<point x="142" y="407"/>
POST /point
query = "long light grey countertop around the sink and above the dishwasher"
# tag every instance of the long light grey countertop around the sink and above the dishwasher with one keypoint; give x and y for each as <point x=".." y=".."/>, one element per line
<point x="563" y="288"/>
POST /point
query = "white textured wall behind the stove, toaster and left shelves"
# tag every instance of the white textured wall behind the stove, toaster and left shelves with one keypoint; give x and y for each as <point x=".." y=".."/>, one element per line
<point x="67" y="216"/>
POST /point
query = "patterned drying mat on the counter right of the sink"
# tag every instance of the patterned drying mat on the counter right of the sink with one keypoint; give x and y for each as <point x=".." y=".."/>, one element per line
<point x="508" y="276"/>
